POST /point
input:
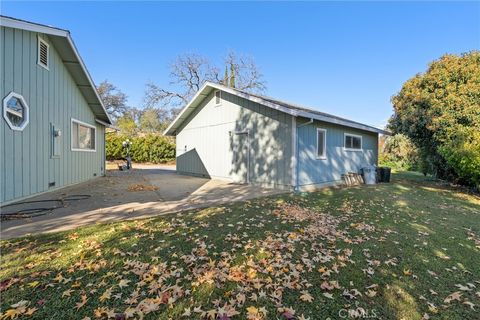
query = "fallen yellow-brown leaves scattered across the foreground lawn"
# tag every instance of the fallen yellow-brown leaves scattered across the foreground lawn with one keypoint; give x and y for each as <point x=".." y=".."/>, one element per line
<point x="248" y="273"/>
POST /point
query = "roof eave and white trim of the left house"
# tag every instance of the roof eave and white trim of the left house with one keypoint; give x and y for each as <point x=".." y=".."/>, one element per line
<point x="64" y="45"/>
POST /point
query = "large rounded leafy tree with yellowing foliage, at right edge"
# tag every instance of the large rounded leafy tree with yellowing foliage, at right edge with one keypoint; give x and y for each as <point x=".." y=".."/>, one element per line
<point x="439" y="110"/>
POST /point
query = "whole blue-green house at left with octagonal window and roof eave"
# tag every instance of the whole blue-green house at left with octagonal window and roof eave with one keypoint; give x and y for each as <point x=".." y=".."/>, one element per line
<point x="53" y="123"/>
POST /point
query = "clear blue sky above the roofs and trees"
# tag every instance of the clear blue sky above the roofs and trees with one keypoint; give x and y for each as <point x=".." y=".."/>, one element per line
<point x="345" y="58"/>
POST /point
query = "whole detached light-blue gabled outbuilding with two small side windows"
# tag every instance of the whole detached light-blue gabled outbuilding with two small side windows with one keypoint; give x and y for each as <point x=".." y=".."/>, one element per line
<point x="229" y="134"/>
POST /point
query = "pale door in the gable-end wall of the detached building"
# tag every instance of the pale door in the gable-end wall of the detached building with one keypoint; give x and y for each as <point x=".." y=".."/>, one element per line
<point x="241" y="157"/>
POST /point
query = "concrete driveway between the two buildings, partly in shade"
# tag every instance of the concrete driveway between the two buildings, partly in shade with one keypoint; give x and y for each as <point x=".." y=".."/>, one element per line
<point x="115" y="197"/>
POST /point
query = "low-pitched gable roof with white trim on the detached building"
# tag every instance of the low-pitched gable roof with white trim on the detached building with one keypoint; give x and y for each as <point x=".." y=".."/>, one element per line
<point x="289" y="108"/>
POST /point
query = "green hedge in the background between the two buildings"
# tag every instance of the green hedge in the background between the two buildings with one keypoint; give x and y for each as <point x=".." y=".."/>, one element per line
<point x="151" y="148"/>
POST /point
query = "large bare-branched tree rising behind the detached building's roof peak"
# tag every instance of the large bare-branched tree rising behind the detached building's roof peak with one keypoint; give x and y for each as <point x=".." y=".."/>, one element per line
<point x="190" y="71"/>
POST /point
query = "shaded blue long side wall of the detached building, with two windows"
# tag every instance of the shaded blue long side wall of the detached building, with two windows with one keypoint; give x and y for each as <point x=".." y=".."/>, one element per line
<point x="313" y="171"/>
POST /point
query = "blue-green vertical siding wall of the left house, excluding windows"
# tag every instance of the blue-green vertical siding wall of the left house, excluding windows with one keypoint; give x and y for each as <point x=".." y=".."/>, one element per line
<point x="27" y="161"/>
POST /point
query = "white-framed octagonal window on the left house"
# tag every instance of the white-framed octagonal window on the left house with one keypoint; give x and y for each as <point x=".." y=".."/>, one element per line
<point x="15" y="111"/>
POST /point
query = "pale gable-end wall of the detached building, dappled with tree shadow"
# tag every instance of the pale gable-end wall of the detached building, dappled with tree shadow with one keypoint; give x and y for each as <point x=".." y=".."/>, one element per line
<point x="213" y="143"/>
